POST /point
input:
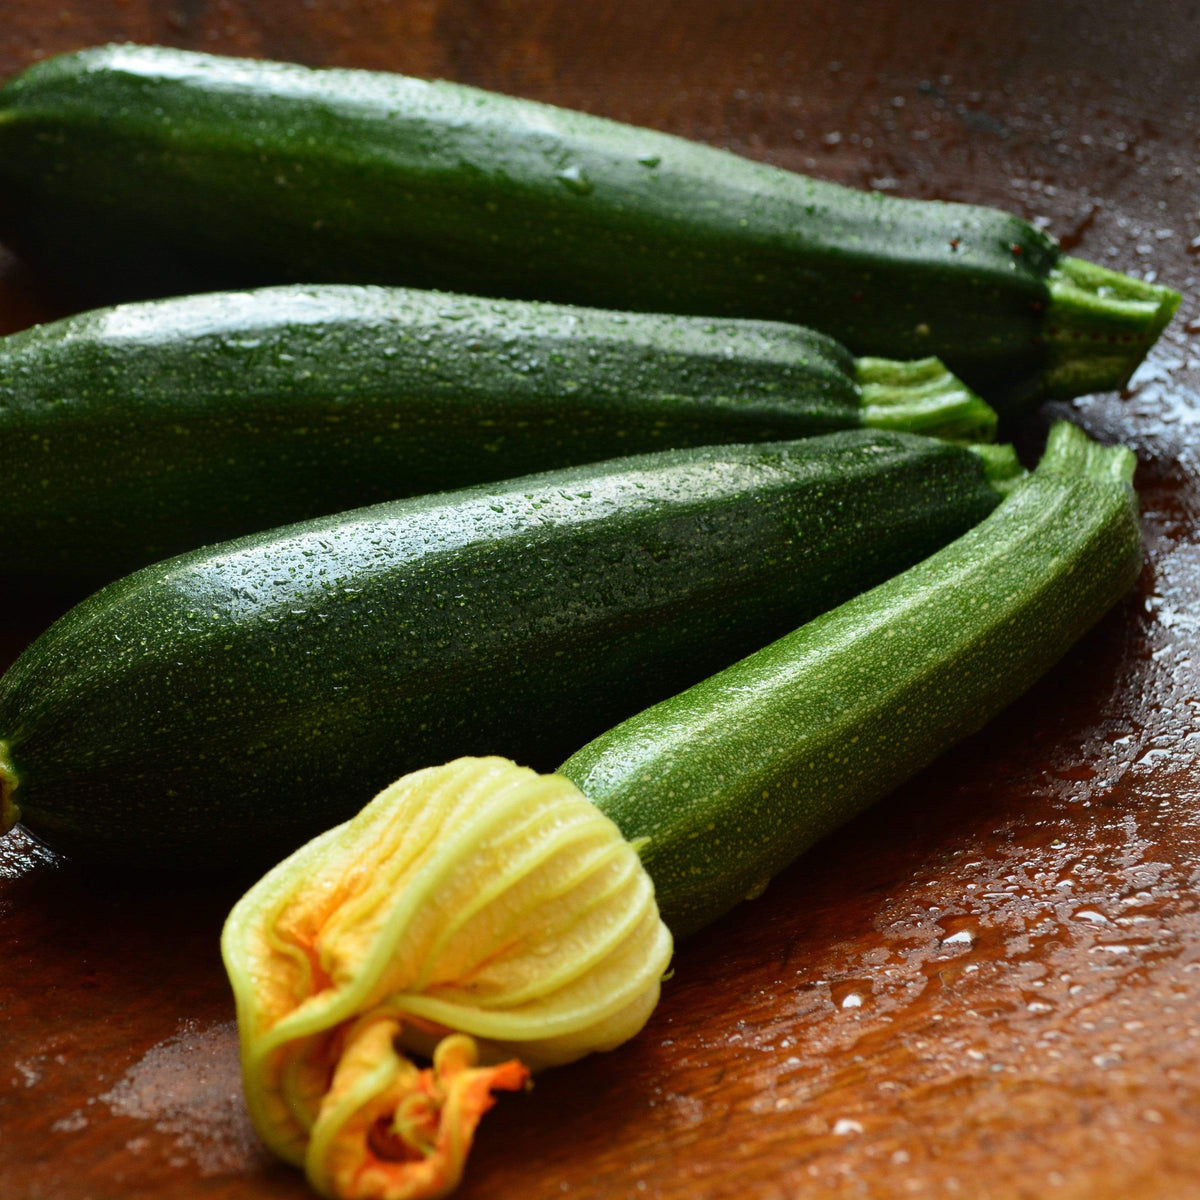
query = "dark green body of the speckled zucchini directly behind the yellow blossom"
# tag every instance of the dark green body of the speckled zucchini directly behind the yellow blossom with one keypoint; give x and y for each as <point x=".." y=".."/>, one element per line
<point x="220" y="709"/>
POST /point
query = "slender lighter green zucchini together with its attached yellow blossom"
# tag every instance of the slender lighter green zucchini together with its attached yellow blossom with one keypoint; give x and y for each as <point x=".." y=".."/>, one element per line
<point x="482" y="901"/>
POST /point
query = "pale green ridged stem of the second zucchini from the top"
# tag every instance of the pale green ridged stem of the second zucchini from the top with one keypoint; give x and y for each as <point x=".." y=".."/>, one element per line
<point x="922" y="397"/>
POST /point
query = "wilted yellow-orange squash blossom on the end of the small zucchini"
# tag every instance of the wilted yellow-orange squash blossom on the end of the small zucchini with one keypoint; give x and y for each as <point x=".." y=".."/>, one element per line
<point x="477" y="914"/>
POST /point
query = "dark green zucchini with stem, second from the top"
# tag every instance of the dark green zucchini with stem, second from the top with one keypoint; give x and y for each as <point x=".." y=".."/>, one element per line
<point x="146" y="430"/>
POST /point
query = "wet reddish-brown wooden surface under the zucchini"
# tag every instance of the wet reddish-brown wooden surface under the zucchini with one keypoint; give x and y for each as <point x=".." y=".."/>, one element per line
<point x="988" y="987"/>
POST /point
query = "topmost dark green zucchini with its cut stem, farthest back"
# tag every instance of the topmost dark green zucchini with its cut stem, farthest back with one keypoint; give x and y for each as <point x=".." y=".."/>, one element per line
<point x="135" y="171"/>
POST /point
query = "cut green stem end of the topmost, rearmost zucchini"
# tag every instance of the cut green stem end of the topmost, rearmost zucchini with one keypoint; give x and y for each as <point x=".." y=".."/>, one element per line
<point x="1099" y="328"/>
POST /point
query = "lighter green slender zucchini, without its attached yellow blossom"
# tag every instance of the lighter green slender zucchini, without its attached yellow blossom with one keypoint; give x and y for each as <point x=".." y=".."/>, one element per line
<point x="725" y="784"/>
